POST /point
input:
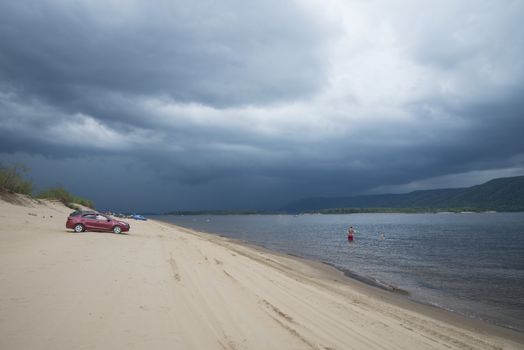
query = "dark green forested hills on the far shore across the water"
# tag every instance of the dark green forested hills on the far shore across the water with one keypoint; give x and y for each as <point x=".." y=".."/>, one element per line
<point x="503" y="194"/>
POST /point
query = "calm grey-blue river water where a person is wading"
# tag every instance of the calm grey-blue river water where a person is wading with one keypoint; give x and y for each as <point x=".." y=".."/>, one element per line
<point x="472" y="264"/>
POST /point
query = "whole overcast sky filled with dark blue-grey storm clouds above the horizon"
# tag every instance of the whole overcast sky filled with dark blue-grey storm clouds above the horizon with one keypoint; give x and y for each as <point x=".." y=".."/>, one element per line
<point x="163" y="105"/>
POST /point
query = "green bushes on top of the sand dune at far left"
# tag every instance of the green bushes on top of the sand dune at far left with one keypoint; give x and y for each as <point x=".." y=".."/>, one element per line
<point x="13" y="180"/>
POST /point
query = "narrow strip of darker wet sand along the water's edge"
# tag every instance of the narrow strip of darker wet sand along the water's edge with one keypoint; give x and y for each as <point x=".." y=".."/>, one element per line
<point x="393" y="295"/>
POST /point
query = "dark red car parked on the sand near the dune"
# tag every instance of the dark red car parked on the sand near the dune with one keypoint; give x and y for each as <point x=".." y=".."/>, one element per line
<point x="92" y="221"/>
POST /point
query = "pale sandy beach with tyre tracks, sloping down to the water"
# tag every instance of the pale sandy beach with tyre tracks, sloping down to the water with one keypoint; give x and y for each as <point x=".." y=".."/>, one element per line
<point x="165" y="287"/>
